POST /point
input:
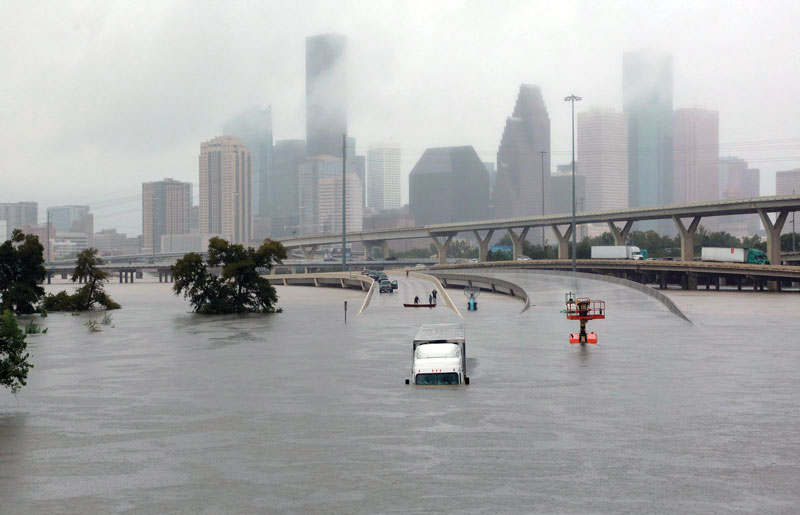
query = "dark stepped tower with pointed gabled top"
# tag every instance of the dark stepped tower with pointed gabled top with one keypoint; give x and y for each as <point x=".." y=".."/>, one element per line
<point x="521" y="166"/>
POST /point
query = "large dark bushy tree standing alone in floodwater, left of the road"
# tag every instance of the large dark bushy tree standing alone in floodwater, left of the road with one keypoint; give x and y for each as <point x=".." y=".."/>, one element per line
<point x="239" y="287"/>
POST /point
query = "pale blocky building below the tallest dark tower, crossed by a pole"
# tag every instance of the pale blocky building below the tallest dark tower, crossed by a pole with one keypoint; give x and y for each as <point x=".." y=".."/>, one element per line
<point x="320" y="195"/>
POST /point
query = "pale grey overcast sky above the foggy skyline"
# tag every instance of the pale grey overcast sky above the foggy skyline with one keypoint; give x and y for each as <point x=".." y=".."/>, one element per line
<point x="98" y="97"/>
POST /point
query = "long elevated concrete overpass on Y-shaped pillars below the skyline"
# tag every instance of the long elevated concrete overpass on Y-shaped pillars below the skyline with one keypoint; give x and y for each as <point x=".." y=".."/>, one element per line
<point x="685" y="216"/>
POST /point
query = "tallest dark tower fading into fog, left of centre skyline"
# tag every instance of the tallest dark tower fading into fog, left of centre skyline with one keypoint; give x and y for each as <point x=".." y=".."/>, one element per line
<point x="326" y="94"/>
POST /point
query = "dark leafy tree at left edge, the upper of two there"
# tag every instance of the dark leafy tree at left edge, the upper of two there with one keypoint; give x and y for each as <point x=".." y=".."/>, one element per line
<point x="21" y="272"/>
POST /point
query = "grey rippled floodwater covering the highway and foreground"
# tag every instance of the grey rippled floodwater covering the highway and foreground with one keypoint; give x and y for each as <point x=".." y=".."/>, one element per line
<point x="166" y="411"/>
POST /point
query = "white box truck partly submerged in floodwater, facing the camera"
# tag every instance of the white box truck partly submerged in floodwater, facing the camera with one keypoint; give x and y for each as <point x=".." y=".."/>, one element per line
<point x="439" y="355"/>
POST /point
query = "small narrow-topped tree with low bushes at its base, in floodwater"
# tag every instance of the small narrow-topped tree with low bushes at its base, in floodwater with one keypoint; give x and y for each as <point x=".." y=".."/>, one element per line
<point x="84" y="299"/>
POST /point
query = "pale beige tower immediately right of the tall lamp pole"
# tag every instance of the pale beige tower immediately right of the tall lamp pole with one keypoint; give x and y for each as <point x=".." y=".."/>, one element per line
<point x="603" y="157"/>
